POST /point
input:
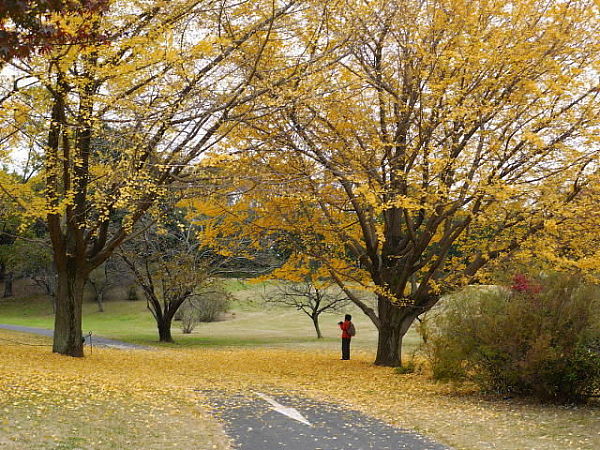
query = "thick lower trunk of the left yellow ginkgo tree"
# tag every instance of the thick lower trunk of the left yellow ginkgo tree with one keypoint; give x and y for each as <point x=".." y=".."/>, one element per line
<point x="67" y="320"/>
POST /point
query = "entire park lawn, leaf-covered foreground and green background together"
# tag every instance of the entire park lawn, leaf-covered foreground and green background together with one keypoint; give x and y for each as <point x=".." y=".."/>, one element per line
<point x="152" y="399"/>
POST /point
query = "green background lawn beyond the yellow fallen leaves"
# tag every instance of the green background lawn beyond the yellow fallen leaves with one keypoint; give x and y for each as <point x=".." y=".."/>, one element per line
<point x="249" y="322"/>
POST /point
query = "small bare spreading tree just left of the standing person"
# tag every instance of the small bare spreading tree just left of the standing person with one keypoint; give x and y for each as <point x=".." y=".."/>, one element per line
<point x="310" y="297"/>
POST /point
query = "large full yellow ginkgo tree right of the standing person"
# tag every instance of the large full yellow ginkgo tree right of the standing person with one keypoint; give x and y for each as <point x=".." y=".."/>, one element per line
<point x="448" y="134"/>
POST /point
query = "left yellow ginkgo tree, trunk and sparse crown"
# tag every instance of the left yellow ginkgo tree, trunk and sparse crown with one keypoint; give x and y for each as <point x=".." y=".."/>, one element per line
<point x="120" y="122"/>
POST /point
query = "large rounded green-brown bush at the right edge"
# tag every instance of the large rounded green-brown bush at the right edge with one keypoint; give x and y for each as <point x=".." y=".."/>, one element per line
<point x="540" y="337"/>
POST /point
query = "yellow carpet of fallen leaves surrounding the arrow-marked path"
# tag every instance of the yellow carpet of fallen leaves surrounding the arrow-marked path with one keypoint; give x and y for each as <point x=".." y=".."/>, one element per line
<point x="164" y="384"/>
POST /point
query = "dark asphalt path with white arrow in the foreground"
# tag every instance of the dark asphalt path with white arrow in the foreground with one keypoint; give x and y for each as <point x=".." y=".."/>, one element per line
<point x="259" y="421"/>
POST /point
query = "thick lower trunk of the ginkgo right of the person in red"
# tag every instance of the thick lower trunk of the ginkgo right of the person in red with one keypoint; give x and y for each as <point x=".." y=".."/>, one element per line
<point x="394" y="324"/>
